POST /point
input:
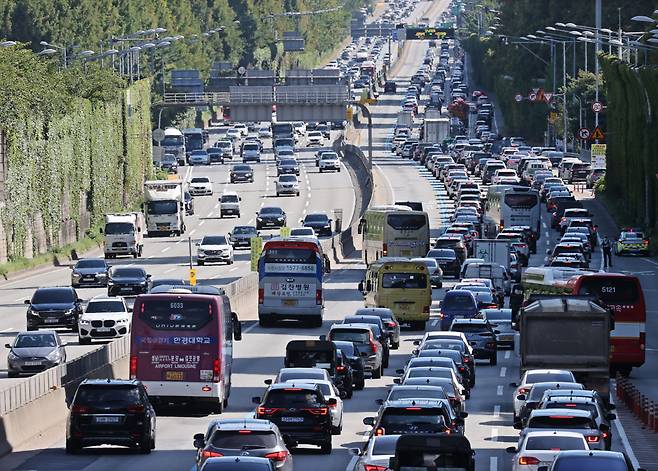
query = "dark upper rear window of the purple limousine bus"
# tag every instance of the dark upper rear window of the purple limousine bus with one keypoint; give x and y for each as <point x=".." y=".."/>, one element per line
<point x="175" y="314"/>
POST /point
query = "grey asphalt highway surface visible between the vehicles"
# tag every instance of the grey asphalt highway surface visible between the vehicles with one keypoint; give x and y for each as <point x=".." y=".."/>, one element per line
<point x="260" y="354"/>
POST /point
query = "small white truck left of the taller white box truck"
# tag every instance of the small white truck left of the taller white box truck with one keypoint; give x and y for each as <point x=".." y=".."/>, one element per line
<point x="124" y="234"/>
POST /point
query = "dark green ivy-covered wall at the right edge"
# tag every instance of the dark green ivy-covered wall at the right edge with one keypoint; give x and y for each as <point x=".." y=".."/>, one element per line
<point x="632" y="159"/>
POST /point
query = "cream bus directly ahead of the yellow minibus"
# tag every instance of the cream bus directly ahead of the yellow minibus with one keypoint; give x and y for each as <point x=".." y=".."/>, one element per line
<point x="394" y="231"/>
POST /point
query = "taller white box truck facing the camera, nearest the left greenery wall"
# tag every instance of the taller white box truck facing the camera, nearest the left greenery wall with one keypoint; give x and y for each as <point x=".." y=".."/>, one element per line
<point x="164" y="206"/>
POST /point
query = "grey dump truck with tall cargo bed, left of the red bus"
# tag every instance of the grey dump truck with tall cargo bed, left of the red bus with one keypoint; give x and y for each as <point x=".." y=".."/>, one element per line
<point x="568" y="333"/>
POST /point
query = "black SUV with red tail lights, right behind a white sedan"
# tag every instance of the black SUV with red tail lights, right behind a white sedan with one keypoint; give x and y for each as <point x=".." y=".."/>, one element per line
<point x="300" y="411"/>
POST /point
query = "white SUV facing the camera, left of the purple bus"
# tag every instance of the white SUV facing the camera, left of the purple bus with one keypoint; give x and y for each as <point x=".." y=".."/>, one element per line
<point x="104" y="318"/>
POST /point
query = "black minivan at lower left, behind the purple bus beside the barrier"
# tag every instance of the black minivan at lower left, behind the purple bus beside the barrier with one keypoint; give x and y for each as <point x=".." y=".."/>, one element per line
<point x="111" y="412"/>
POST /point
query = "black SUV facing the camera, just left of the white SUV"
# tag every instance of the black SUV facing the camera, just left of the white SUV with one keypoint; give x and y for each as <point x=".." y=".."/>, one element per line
<point x="54" y="307"/>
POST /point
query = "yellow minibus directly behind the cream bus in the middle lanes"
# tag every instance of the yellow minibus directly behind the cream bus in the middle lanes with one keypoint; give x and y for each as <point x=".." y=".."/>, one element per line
<point x="402" y="286"/>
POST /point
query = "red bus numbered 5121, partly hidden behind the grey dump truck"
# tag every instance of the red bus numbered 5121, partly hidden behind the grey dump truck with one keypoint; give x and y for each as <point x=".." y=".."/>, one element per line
<point x="623" y="295"/>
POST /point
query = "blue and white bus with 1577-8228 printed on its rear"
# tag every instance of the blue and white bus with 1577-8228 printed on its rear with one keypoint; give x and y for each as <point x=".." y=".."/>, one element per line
<point x="290" y="276"/>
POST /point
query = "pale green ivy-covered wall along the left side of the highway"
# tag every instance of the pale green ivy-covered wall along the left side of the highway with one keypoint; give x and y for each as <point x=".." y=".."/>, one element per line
<point x="62" y="173"/>
